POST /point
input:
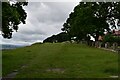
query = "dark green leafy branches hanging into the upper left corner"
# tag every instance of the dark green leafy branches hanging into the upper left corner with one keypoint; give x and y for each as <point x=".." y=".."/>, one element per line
<point x="12" y="15"/>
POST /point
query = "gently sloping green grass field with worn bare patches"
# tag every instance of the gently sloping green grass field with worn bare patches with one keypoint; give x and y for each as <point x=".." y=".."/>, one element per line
<point x="60" y="60"/>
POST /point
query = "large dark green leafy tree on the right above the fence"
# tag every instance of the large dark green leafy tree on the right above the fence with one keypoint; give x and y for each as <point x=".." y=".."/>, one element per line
<point x="92" y="18"/>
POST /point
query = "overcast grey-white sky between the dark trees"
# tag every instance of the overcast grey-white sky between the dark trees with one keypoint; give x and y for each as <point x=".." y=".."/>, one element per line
<point x="43" y="20"/>
